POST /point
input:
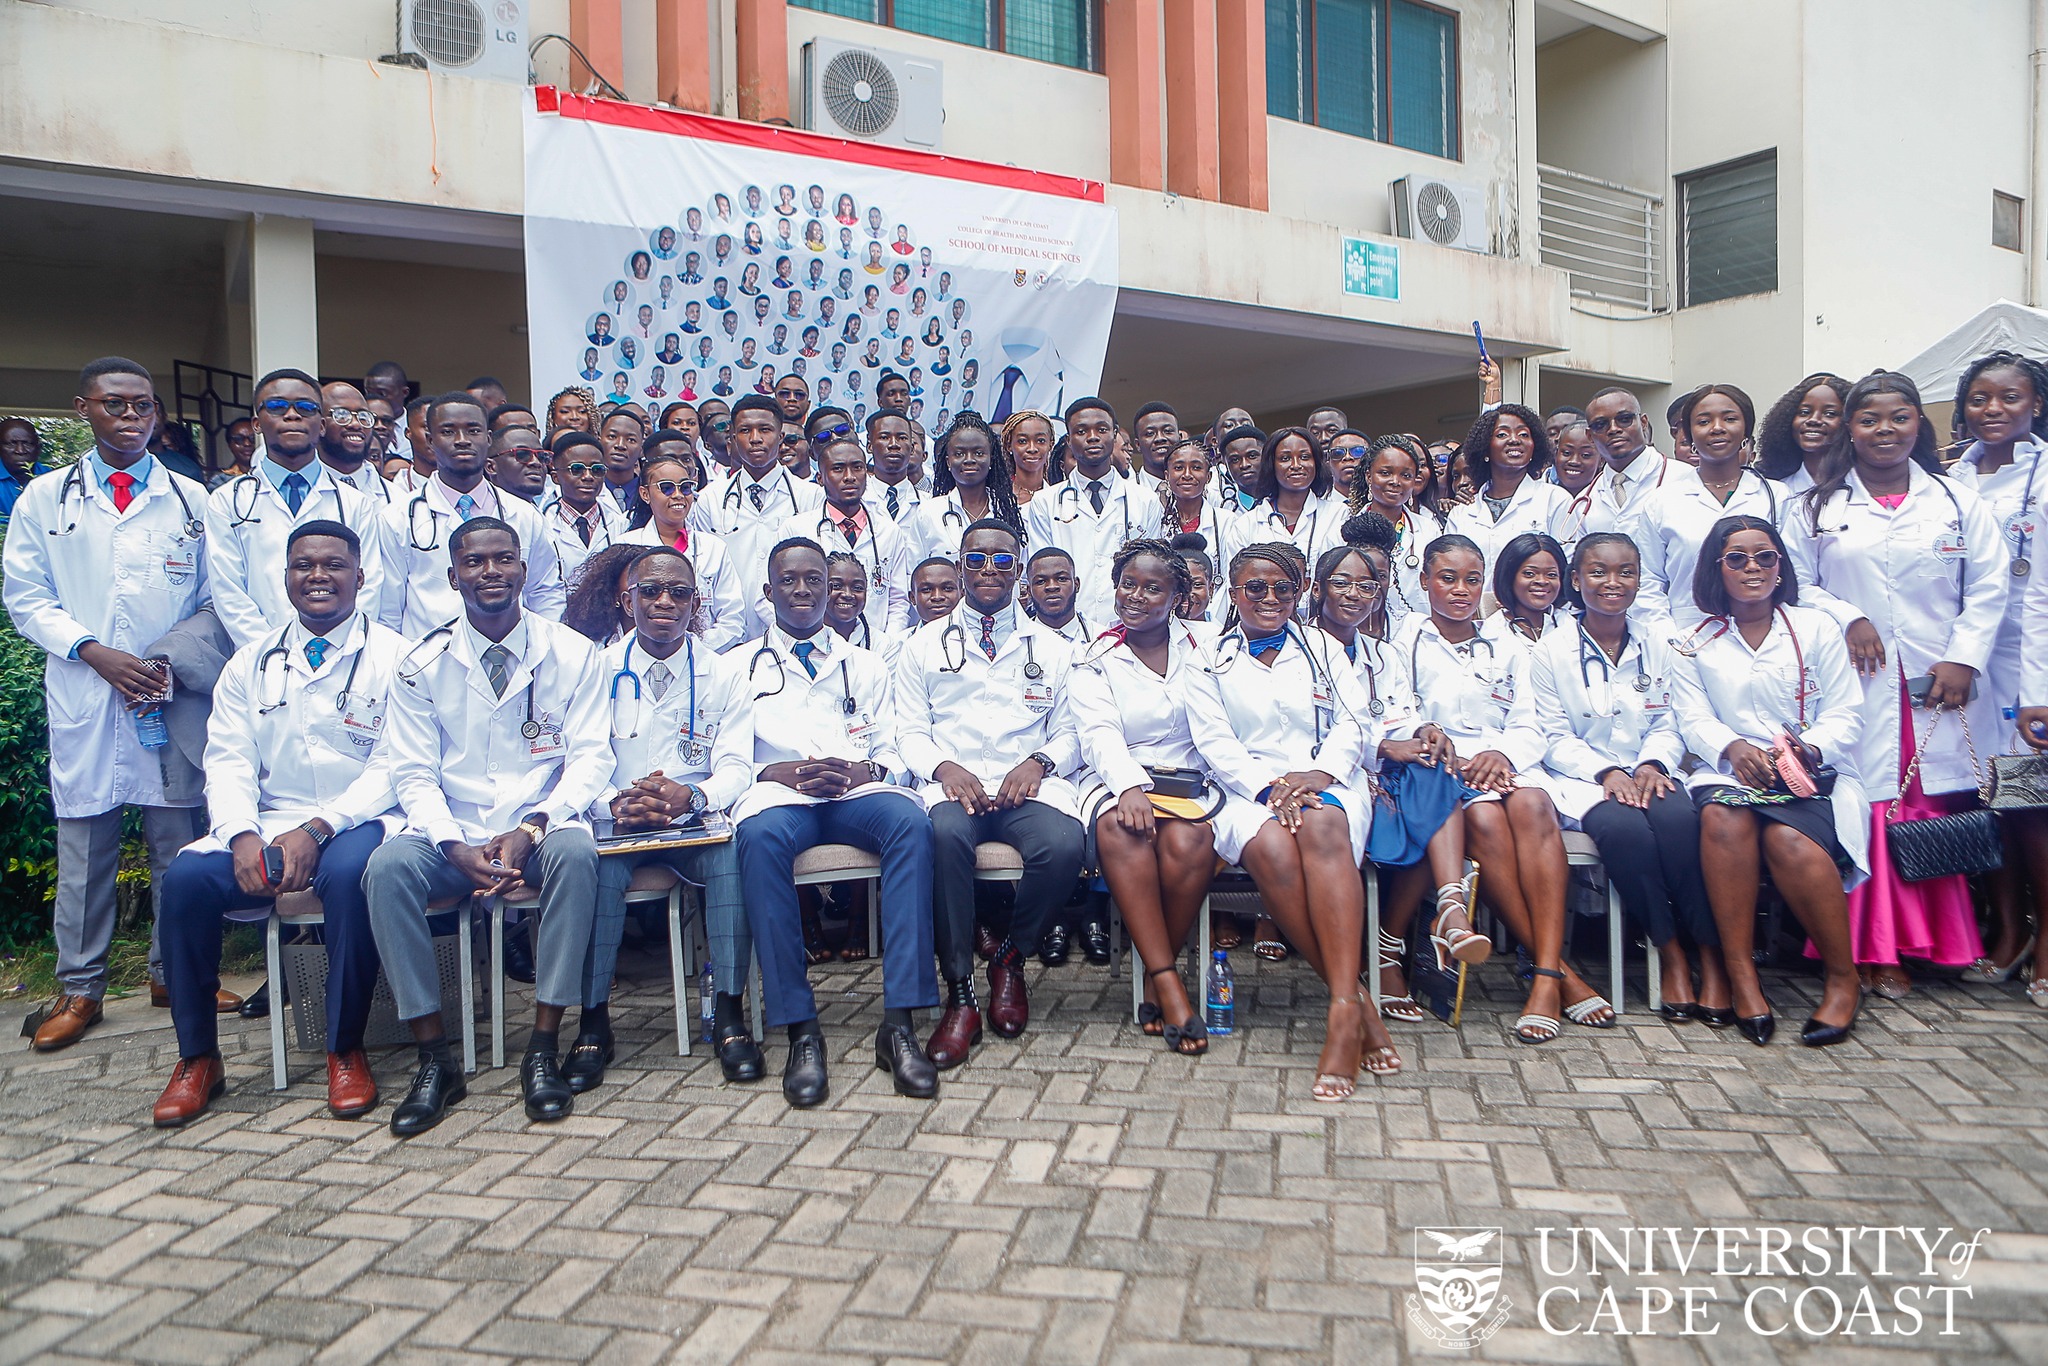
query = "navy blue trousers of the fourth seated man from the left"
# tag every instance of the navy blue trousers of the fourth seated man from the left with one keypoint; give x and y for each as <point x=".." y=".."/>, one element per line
<point x="882" y="824"/>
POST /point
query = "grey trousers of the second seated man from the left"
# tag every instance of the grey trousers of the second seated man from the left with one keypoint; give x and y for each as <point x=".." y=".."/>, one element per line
<point x="407" y="873"/>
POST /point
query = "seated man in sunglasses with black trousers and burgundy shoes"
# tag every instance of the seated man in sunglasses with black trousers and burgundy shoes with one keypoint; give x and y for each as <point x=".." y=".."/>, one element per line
<point x="984" y="722"/>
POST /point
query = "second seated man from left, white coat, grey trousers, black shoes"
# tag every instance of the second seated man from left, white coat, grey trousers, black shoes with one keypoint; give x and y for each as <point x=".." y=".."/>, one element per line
<point x="499" y="749"/>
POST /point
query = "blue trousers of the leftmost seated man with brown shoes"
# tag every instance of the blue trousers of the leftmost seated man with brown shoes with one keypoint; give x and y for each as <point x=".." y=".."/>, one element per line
<point x="202" y="888"/>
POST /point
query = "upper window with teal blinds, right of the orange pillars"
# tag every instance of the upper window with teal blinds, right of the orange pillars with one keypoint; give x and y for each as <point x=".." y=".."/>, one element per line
<point x="1371" y="69"/>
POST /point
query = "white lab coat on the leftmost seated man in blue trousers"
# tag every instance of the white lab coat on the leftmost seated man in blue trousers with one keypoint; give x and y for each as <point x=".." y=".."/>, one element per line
<point x="286" y="744"/>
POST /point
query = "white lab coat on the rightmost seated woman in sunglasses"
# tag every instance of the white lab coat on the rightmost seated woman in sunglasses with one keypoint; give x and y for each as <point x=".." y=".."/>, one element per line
<point x="1723" y="691"/>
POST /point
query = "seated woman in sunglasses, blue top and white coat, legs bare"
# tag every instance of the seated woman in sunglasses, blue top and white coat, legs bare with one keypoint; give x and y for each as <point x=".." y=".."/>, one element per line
<point x="1287" y="740"/>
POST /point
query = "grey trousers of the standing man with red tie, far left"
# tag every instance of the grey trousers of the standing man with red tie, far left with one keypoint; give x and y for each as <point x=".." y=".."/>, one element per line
<point x="89" y="857"/>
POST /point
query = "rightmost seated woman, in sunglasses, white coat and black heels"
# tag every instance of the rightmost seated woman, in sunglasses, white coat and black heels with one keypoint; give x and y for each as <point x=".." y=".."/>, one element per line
<point x="1766" y="695"/>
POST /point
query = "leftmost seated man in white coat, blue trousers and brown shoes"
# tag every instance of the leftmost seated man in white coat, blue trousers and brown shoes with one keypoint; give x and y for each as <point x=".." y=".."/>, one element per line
<point x="296" y="785"/>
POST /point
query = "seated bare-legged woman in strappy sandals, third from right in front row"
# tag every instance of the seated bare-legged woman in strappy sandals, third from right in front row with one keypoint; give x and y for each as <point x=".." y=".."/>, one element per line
<point x="1467" y="685"/>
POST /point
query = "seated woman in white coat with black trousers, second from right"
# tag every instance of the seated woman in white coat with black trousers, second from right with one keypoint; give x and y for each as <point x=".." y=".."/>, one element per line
<point x="1601" y="697"/>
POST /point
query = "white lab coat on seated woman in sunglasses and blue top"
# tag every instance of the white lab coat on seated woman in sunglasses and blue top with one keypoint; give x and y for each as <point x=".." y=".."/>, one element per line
<point x="1254" y="724"/>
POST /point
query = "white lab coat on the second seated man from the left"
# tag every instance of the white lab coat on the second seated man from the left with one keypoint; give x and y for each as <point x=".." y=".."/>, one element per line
<point x="462" y="767"/>
